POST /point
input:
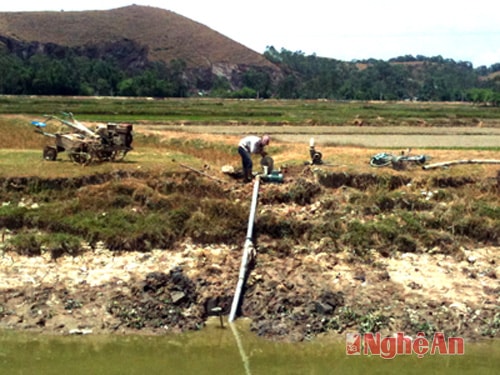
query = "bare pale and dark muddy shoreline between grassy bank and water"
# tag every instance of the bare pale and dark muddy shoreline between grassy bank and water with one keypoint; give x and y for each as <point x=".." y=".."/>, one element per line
<point x="294" y="298"/>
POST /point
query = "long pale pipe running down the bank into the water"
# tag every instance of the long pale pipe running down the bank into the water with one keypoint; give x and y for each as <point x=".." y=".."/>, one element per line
<point x="247" y="249"/>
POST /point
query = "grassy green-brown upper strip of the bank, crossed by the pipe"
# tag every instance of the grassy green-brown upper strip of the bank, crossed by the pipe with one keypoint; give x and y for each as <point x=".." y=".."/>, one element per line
<point x="158" y="211"/>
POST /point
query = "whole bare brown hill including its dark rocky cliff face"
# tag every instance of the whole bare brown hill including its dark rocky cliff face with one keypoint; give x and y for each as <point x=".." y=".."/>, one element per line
<point x="132" y="36"/>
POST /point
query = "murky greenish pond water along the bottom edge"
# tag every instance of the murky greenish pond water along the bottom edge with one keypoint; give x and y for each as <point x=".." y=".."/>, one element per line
<point x="216" y="350"/>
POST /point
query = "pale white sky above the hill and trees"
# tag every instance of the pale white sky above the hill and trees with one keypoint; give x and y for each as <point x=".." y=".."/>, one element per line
<point x="343" y="30"/>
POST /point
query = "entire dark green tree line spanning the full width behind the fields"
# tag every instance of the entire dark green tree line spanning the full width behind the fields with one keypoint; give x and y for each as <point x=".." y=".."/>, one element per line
<point x="304" y="77"/>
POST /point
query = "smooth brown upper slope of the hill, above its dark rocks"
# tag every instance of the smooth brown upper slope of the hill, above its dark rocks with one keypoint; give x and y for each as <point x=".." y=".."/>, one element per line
<point x="162" y="34"/>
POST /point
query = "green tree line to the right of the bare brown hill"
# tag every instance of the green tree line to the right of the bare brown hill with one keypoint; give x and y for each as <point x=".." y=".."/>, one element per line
<point x="402" y="78"/>
